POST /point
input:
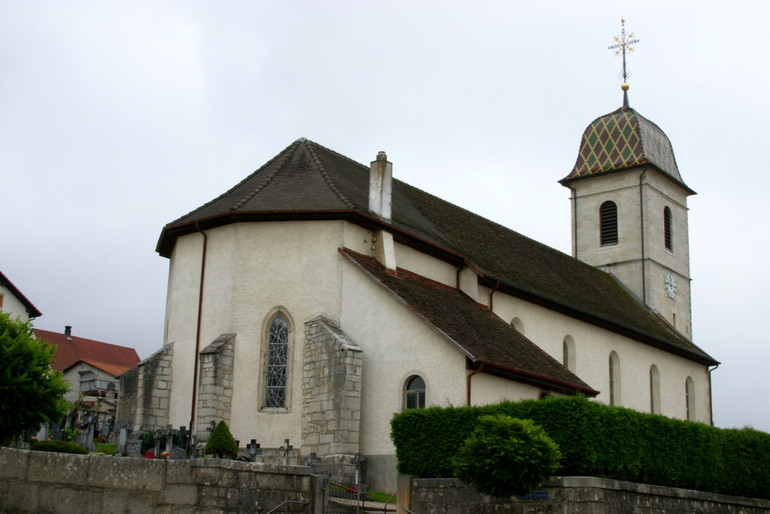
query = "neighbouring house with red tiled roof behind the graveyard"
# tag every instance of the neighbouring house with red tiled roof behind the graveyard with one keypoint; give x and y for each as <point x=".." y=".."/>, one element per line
<point x="92" y="368"/>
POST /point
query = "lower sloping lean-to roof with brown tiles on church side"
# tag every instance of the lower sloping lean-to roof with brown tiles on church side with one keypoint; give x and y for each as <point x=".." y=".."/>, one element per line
<point x="480" y="334"/>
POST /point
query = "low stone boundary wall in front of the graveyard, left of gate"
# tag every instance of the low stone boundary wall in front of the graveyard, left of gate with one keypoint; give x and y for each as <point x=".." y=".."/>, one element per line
<point x="32" y="481"/>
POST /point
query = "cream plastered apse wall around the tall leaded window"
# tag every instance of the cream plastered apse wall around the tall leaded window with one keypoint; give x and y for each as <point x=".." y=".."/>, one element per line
<point x="253" y="270"/>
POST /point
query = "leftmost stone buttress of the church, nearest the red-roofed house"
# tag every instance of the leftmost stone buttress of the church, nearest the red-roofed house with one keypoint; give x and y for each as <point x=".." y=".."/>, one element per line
<point x="145" y="391"/>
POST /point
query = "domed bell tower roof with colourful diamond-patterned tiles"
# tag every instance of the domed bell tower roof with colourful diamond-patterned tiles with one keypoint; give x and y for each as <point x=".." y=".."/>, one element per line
<point x="620" y="140"/>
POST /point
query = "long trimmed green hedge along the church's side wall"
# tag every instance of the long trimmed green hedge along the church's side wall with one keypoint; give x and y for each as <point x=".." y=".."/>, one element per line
<point x="599" y="440"/>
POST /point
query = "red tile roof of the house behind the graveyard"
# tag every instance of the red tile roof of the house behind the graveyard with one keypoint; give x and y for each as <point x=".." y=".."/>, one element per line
<point x="71" y="350"/>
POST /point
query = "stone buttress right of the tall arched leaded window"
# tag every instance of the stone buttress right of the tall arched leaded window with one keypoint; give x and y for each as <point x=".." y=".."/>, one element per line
<point x="331" y="388"/>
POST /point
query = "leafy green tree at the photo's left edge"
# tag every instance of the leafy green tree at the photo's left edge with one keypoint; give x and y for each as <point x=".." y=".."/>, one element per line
<point x="31" y="392"/>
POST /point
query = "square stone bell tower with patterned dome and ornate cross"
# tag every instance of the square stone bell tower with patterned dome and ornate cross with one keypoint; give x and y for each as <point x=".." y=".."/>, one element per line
<point x="629" y="209"/>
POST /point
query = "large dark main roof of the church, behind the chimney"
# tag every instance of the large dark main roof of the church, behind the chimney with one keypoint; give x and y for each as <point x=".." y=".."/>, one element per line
<point x="309" y="181"/>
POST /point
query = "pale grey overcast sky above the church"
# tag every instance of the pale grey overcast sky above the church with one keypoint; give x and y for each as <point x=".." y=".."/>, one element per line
<point x="119" y="117"/>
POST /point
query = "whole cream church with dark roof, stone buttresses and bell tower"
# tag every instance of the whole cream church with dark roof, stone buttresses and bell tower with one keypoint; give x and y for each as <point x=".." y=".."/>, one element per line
<point x="319" y="296"/>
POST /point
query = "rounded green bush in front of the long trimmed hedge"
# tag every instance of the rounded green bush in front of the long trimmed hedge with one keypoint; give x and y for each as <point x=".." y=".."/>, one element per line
<point x="504" y="456"/>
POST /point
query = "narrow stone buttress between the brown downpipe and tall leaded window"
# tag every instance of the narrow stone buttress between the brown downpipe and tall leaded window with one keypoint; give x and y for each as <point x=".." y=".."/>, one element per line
<point x="215" y="387"/>
